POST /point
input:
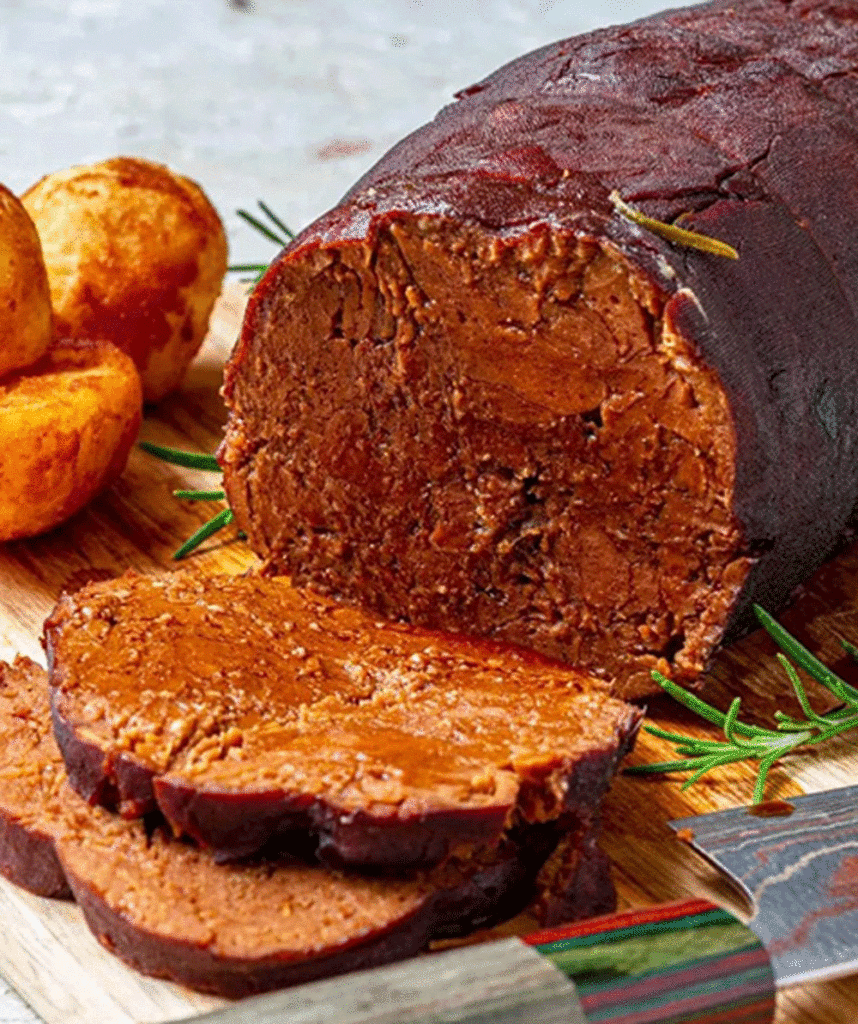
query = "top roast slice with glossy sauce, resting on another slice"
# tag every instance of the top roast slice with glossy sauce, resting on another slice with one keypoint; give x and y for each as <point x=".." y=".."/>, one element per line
<point x="248" y="712"/>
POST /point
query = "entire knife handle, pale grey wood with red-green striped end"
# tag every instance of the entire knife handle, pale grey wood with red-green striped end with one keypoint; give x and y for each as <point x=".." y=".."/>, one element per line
<point x="687" y="962"/>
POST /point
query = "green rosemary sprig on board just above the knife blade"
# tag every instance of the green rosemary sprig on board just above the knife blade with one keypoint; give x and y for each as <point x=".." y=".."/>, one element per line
<point x="752" y="743"/>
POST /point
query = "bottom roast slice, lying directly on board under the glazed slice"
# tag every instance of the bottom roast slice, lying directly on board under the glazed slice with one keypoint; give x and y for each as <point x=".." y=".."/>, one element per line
<point x="171" y="911"/>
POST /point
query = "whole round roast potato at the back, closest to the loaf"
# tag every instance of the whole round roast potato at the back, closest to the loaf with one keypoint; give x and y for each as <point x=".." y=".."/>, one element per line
<point x="137" y="255"/>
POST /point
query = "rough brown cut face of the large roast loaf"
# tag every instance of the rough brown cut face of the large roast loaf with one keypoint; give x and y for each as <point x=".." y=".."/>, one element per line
<point x="496" y="433"/>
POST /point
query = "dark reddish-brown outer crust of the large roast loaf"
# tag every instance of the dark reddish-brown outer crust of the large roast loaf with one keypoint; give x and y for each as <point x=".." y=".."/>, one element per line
<point x="739" y="116"/>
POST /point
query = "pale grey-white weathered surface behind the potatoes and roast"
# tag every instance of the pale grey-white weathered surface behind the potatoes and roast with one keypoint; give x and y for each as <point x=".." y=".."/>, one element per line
<point x="286" y="101"/>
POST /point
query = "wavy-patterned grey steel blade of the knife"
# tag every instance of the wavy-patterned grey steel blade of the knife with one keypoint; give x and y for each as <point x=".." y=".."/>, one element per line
<point x="799" y="871"/>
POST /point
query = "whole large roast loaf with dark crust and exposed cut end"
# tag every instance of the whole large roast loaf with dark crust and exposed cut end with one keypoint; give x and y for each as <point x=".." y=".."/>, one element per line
<point x="479" y="397"/>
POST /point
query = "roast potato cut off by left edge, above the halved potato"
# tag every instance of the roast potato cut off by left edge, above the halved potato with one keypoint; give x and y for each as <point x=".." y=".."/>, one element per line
<point x="25" y="301"/>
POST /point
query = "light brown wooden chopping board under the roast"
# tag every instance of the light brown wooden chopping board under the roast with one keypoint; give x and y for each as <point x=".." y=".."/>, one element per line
<point x="48" y="954"/>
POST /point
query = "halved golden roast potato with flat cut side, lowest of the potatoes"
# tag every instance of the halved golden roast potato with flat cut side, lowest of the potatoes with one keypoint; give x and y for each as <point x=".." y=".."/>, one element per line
<point x="67" y="425"/>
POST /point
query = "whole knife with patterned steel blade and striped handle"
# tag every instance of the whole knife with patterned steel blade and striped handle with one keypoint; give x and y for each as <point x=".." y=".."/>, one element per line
<point x="796" y="863"/>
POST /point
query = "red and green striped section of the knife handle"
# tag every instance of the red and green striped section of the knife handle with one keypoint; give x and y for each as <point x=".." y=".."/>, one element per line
<point x="684" y="962"/>
